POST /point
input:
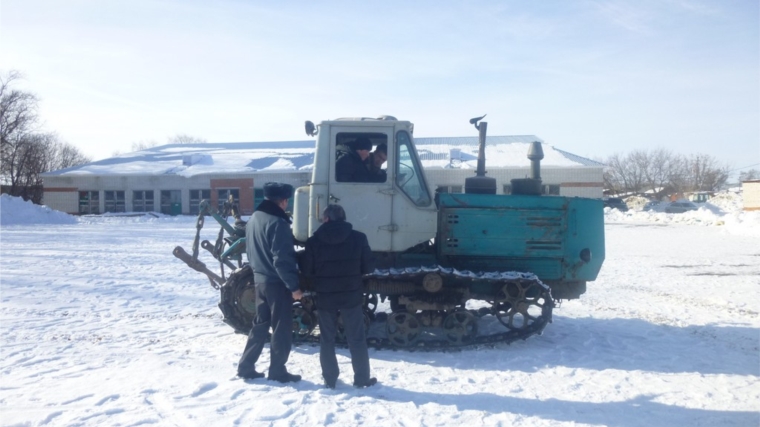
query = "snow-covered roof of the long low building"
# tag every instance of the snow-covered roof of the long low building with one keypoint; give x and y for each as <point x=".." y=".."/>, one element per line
<point x="295" y="156"/>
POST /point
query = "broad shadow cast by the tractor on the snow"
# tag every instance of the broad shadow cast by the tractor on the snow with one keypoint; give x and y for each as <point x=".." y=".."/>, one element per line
<point x="599" y="344"/>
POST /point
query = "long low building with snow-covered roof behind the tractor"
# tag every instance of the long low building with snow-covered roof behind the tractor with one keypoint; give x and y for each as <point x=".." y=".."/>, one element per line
<point x="174" y="178"/>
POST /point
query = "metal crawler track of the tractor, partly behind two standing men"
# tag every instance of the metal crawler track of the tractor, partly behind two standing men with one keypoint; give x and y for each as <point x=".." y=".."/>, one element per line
<point x="520" y="292"/>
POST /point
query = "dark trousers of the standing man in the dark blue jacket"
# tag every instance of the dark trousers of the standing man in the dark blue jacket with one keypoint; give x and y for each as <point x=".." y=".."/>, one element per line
<point x="353" y="324"/>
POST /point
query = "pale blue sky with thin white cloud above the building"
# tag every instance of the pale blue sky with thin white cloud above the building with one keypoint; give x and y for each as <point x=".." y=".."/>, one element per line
<point x="590" y="77"/>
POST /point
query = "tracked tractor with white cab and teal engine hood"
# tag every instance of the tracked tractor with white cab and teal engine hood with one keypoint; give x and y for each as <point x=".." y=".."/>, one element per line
<point x="453" y="269"/>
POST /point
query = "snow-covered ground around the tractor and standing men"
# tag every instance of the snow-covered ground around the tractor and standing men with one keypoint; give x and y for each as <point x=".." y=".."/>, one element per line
<point x="102" y="326"/>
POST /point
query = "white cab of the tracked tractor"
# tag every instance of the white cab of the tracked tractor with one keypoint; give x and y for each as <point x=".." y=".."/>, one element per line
<point x="396" y="214"/>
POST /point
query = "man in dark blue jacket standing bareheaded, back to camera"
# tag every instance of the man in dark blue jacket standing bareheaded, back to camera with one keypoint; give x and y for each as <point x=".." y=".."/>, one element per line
<point x="336" y="257"/>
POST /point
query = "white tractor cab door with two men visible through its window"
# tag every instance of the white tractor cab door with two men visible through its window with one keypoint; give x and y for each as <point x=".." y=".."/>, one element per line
<point x="368" y="205"/>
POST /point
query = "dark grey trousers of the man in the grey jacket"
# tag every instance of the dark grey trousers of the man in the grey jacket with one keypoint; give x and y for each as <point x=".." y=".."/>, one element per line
<point x="274" y="308"/>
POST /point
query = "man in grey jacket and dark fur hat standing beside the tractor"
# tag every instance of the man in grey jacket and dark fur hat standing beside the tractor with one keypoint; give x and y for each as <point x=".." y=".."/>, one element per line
<point x="269" y="245"/>
